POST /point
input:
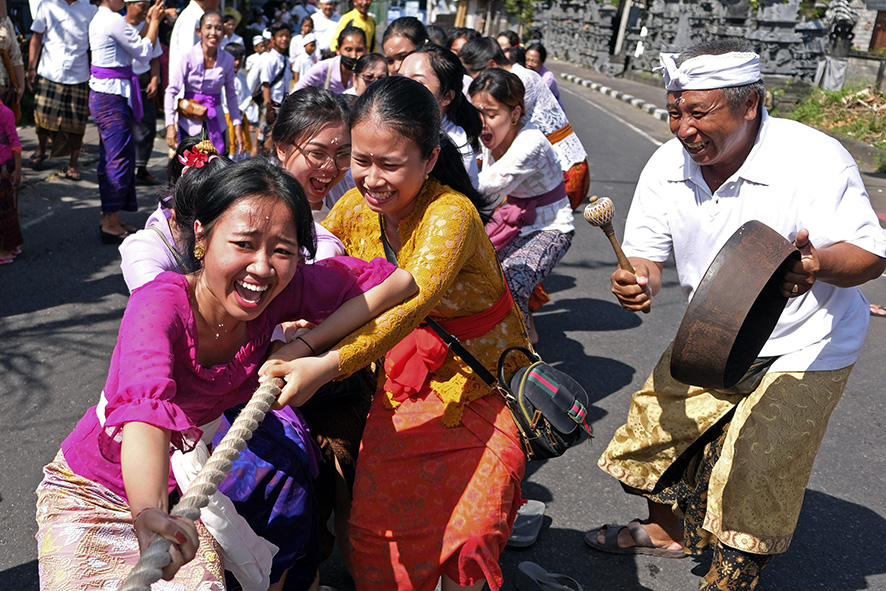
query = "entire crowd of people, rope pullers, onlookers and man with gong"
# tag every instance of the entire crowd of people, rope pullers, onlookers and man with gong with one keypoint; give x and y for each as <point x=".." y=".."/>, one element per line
<point x="323" y="201"/>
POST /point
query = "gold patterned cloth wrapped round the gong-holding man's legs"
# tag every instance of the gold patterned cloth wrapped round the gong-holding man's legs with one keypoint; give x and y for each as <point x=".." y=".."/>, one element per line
<point x="757" y="485"/>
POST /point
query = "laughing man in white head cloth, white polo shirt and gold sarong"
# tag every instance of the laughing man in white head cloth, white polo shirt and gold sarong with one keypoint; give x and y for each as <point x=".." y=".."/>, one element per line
<point x="736" y="463"/>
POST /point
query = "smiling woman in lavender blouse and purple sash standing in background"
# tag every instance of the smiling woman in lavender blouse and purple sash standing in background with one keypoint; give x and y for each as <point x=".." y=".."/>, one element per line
<point x="202" y="75"/>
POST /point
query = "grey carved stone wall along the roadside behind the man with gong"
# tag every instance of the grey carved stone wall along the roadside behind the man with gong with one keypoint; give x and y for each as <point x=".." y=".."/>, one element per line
<point x="584" y="32"/>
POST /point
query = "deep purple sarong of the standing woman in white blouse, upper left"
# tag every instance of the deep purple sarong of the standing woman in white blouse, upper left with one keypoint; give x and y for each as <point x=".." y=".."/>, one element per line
<point x="116" y="160"/>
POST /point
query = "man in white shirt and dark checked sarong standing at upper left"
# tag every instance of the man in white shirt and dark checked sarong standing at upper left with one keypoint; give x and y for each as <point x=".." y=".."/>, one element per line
<point x="58" y="53"/>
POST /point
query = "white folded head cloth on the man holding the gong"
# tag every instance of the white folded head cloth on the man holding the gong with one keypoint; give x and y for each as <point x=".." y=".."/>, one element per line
<point x="705" y="72"/>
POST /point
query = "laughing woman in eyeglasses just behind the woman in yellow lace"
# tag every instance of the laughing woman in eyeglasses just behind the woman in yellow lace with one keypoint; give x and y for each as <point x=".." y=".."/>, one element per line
<point x="312" y="139"/>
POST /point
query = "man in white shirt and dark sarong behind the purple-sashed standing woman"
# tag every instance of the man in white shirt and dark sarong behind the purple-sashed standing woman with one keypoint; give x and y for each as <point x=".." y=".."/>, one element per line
<point x="144" y="130"/>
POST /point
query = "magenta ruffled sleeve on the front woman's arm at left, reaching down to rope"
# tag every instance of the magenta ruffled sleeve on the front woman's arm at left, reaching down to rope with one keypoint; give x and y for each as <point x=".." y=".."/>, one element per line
<point x="141" y="384"/>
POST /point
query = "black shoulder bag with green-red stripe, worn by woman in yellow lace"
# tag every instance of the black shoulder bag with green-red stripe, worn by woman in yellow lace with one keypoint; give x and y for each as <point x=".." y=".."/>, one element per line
<point x="548" y="406"/>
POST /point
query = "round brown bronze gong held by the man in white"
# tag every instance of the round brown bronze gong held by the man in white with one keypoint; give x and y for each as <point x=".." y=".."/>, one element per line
<point x="734" y="309"/>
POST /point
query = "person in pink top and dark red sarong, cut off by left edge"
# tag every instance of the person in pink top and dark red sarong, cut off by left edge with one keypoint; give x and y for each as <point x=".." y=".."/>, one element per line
<point x="10" y="178"/>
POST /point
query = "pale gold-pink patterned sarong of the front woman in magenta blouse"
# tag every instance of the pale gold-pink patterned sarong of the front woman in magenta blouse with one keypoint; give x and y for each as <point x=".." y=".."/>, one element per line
<point x="86" y="540"/>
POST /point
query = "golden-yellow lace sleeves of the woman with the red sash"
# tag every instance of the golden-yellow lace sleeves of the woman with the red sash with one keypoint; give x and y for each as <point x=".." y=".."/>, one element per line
<point x="438" y="238"/>
